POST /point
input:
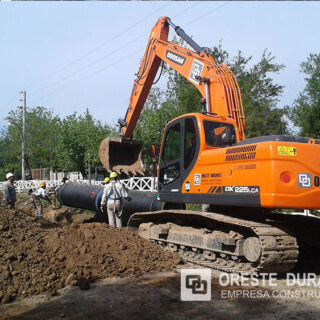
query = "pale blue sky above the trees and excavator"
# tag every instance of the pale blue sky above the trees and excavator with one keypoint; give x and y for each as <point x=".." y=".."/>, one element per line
<point x="73" y="55"/>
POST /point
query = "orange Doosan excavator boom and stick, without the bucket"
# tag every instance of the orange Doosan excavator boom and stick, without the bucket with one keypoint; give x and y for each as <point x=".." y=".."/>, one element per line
<point x="216" y="83"/>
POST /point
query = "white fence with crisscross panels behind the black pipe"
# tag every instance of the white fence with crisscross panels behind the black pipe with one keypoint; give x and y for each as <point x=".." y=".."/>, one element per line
<point x="135" y="183"/>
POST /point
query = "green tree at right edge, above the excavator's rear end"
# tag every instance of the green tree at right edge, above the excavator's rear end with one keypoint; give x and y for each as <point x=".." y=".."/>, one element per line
<point x="305" y="112"/>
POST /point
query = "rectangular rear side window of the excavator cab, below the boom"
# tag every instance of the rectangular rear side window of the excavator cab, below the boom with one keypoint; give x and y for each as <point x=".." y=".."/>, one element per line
<point x="219" y="134"/>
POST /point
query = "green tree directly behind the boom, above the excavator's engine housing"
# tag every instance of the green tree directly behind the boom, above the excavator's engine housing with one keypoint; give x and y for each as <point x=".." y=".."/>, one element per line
<point x="260" y="94"/>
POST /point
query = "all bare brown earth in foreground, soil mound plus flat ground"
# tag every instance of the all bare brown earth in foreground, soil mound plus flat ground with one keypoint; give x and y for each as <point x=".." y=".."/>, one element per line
<point x="47" y="266"/>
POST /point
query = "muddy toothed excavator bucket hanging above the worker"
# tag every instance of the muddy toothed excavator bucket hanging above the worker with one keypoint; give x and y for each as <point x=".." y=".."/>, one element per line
<point x="121" y="155"/>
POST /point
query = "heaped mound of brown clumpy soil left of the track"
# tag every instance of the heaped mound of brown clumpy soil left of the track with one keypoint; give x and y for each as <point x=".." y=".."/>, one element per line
<point x="43" y="256"/>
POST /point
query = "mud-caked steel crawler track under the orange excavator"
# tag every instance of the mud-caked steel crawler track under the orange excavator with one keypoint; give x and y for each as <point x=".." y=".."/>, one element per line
<point x="227" y="244"/>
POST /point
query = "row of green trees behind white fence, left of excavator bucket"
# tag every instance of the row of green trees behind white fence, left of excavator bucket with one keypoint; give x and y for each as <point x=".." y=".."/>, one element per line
<point x="61" y="144"/>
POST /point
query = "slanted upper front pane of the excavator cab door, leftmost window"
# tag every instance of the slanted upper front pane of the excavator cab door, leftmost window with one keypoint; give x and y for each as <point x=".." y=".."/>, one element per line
<point x="171" y="149"/>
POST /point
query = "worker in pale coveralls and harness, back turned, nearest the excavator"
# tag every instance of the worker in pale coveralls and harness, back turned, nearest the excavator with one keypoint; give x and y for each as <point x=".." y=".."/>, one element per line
<point x="112" y="198"/>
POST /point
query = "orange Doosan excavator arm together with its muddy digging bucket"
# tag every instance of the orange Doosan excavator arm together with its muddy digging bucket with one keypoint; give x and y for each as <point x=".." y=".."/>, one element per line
<point x="216" y="83"/>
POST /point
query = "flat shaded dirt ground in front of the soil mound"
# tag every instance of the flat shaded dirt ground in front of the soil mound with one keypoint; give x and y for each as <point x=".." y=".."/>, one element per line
<point x="156" y="296"/>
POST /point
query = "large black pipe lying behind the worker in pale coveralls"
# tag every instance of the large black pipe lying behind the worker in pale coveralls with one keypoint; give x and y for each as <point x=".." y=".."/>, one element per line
<point x="88" y="197"/>
